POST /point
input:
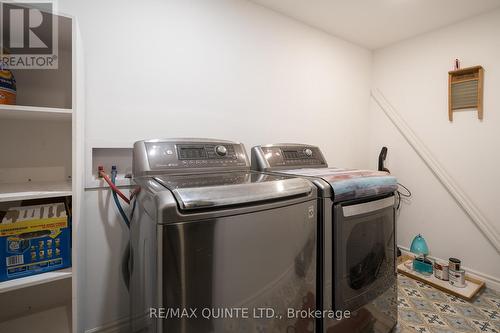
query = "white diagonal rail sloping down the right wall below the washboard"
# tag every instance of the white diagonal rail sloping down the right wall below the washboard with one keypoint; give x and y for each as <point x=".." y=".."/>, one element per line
<point x="481" y="222"/>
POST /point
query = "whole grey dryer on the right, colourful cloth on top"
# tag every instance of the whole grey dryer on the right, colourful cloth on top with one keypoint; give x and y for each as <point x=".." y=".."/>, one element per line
<point x="356" y="236"/>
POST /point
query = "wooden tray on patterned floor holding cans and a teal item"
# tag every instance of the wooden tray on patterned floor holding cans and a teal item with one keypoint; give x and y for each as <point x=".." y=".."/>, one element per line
<point x="472" y="287"/>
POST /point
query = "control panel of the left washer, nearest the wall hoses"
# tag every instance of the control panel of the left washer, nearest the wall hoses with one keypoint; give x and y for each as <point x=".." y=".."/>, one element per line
<point x="187" y="155"/>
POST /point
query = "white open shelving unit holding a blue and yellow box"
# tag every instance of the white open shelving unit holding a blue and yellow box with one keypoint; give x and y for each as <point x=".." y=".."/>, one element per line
<point x="41" y="156"/>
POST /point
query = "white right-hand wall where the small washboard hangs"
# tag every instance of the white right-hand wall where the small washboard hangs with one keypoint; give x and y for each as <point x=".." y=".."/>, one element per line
<point x="413" y="77"/>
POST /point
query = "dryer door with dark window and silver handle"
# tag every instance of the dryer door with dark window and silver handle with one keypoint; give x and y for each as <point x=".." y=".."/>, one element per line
<point x="364" y="252"/>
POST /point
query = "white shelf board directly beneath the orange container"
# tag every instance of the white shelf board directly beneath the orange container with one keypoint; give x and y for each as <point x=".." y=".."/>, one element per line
<point x="33" y="113"/>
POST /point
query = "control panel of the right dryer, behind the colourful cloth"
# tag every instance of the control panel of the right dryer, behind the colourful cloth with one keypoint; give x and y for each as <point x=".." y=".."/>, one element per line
<point x="287" y="156"/>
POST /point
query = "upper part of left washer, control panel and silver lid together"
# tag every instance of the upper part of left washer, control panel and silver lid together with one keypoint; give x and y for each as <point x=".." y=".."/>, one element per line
<point x="204" y="173"/>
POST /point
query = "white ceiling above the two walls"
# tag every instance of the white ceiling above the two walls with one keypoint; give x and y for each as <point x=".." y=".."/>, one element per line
<point x="378" y="23"/>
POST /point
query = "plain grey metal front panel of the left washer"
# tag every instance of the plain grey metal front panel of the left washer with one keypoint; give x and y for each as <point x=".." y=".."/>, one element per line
<point x="264" y="259"/>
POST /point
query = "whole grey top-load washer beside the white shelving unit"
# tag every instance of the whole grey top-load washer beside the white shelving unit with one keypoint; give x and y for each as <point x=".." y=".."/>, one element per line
<point x="216" y="247"/>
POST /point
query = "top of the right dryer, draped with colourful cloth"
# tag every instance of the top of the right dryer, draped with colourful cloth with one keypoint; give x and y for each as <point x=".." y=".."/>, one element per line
<point x="349" y="184"/>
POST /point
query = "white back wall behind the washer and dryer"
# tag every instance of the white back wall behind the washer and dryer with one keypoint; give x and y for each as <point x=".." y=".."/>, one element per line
<point x="226" y="69"/>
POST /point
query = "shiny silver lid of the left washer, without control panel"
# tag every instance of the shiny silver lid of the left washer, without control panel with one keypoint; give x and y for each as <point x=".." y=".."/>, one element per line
<point x="231" y="188"/>
